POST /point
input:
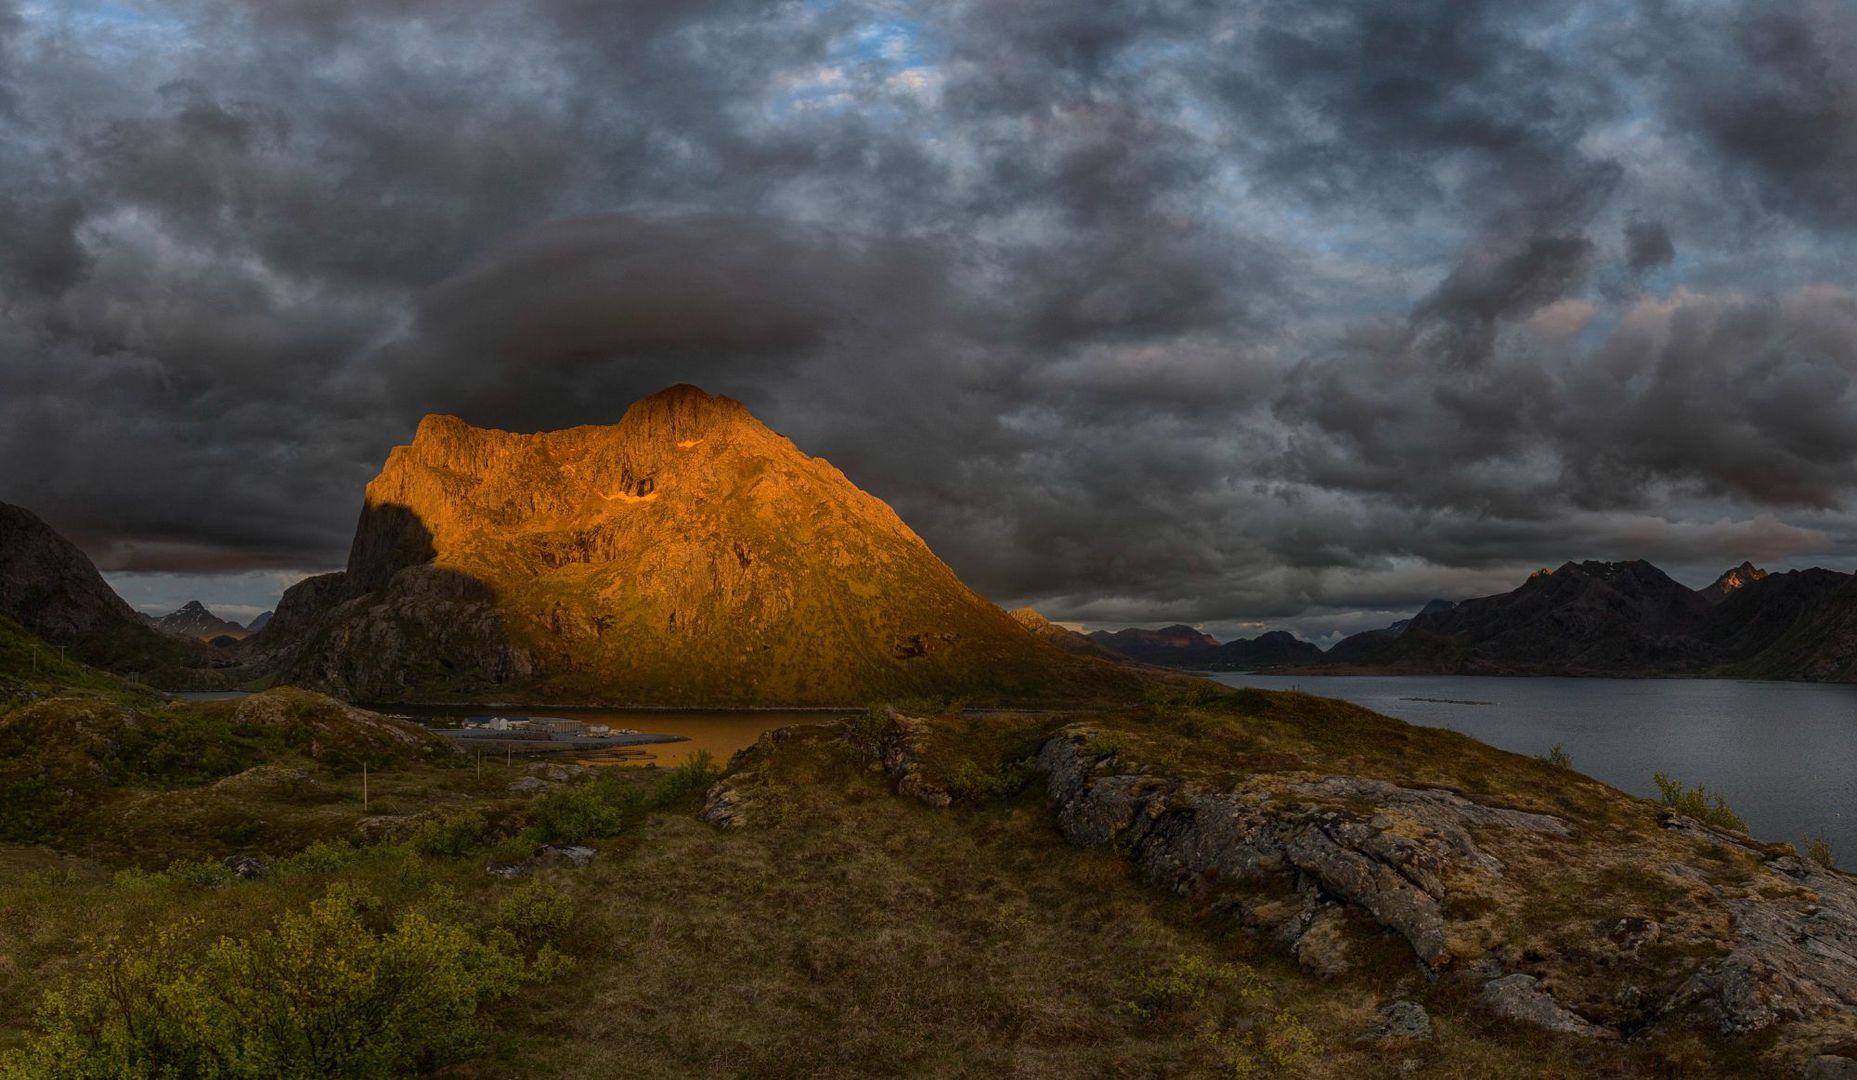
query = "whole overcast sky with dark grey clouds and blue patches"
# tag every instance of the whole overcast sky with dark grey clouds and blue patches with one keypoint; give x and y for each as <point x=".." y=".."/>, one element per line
<point x="1241" y="315"/>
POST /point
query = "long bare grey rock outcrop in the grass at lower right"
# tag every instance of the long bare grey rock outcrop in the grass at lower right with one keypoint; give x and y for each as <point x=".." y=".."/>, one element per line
<point x="1776" y="934"/>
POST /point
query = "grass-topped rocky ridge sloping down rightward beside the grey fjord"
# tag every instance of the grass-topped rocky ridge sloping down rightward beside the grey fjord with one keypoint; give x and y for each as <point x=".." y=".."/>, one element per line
<point x="1581" y="912"/>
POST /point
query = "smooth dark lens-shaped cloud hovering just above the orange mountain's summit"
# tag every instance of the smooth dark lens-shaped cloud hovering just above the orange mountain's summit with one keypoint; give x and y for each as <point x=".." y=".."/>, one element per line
<point x="584" y="315"/>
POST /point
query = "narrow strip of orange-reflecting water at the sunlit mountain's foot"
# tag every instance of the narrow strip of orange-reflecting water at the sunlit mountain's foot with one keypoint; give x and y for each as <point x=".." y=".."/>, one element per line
<point x="721" y="734"/>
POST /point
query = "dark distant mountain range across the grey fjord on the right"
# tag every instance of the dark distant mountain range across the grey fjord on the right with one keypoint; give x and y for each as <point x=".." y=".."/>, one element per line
<point x="1585" y="619"/>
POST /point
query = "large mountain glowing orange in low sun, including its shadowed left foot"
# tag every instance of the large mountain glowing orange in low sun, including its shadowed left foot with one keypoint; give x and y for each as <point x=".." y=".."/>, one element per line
<point x="684" y="556"/>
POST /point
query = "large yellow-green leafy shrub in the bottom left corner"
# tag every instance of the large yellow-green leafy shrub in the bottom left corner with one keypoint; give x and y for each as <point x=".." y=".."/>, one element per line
<point x="318" y="996"/>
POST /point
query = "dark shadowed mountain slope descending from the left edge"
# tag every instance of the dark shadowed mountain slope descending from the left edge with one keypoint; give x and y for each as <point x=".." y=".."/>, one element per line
<point x="53" y="589"/>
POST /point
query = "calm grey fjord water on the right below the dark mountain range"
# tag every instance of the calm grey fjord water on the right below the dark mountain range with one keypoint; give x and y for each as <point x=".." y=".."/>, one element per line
<point x="1784" y="754"/>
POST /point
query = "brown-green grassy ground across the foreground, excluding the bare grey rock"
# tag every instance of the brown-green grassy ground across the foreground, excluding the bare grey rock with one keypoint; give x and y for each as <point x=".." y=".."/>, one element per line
<point x="842" y="932"/>
